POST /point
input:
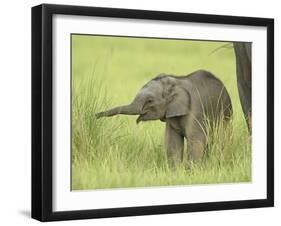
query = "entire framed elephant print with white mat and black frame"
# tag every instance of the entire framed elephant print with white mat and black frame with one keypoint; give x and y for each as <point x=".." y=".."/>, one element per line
<point x="145" y="112"/>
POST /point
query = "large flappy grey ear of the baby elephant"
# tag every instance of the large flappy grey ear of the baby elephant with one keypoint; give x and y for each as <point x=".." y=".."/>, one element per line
<point x="178" y="102"/>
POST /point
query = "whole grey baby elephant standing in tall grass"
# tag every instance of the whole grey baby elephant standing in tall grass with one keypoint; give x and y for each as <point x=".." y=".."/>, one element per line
<point x="181" y="102"/>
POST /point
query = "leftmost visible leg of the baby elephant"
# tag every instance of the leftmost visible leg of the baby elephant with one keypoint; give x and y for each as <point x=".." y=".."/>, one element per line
<point x="174" y="143"/>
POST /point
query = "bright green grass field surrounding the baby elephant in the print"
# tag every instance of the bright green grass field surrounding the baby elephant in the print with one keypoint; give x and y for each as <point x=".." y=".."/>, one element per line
<point x="116" y="152"/>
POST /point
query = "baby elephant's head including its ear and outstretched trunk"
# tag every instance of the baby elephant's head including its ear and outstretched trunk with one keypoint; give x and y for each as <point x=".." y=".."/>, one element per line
<point x="160" y="98"/>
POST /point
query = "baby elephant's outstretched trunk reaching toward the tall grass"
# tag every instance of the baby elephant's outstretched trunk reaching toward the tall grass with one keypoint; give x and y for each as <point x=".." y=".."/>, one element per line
<point x="131" y="109"/>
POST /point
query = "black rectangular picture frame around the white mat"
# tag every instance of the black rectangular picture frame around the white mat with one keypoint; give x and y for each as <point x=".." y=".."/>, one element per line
<point x="42" y="106"/>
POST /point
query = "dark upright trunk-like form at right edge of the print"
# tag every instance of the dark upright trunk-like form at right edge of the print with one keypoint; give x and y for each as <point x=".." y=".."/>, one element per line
<point x="243" y="53"/>
